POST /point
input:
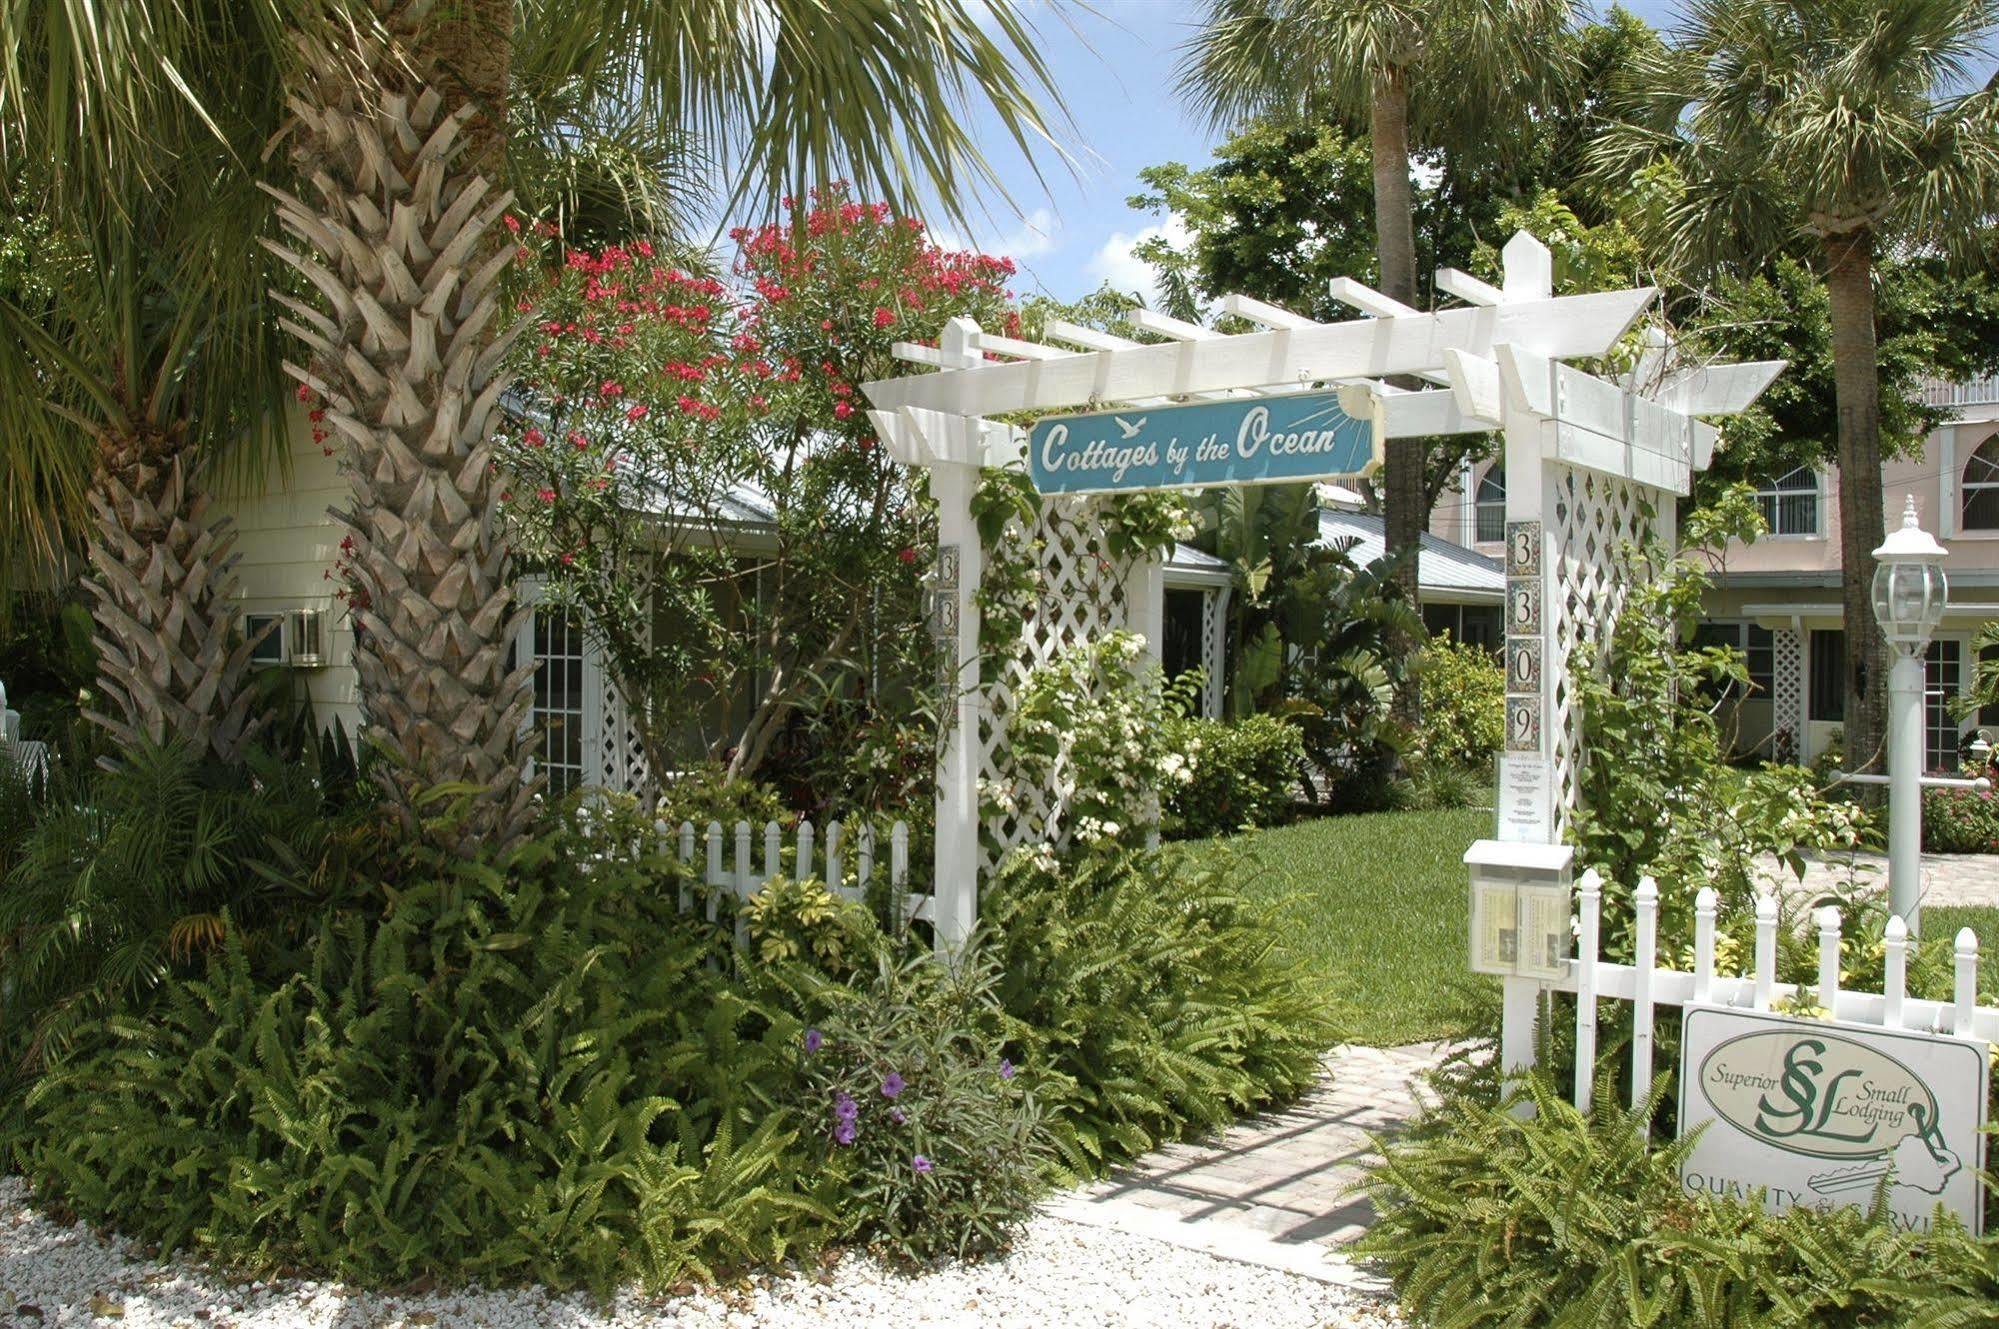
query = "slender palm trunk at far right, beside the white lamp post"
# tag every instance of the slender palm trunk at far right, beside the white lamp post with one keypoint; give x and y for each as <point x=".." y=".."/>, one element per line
<point x="1858" y="391"/>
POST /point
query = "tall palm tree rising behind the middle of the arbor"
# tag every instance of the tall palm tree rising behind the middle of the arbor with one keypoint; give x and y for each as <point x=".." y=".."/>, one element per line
<point x="1416" y="73"/>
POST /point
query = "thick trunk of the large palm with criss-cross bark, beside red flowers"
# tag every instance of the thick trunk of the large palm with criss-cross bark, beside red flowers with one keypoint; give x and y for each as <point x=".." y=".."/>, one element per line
<point x="399" y="141"/>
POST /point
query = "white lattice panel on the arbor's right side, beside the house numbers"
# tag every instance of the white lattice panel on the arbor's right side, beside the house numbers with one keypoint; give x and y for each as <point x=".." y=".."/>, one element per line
<point x="1596" y="523"/>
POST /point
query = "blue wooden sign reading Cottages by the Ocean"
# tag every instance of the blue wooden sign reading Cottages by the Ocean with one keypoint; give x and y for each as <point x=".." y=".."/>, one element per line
<point x="1254" y="441"/>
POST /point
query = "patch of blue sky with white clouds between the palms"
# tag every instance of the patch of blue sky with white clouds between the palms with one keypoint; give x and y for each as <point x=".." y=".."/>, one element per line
<point x="1114" y="65"/>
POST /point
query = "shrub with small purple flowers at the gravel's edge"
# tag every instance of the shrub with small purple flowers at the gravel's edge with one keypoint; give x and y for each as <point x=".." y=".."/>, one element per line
<point x="937" y="1134"/>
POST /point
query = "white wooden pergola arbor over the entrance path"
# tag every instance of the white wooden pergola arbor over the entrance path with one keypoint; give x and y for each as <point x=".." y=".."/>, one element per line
<point x="1592" y="467"/>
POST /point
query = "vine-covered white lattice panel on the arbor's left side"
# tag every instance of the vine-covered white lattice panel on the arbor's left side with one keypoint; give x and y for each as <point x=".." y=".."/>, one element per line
<point x="1080" y="599"/>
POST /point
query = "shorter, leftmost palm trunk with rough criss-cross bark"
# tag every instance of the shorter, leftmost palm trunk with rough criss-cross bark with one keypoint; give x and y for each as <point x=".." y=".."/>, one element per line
<point x="165" y="601"/>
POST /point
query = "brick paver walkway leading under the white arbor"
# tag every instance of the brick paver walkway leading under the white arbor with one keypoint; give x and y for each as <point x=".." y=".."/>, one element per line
<point x="1274" y="1190"/>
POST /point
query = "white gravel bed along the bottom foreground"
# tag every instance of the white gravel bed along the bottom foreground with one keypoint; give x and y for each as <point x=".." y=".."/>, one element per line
<point x="1060" y="1274"/>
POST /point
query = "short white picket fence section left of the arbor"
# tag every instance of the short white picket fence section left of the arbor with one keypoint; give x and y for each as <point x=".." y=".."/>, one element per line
<point x="809" y="856"/>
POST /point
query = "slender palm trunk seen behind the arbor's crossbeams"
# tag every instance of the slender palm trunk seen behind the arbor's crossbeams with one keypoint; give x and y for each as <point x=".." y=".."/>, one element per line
<point x="1404" y="513"/>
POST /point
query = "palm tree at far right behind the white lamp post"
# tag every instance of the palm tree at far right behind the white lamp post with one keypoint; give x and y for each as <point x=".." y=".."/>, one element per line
<point x="1836" y="131"/>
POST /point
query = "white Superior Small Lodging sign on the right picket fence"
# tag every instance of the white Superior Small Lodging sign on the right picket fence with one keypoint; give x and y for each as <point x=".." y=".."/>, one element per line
<point x="1824" y="1114"/>
